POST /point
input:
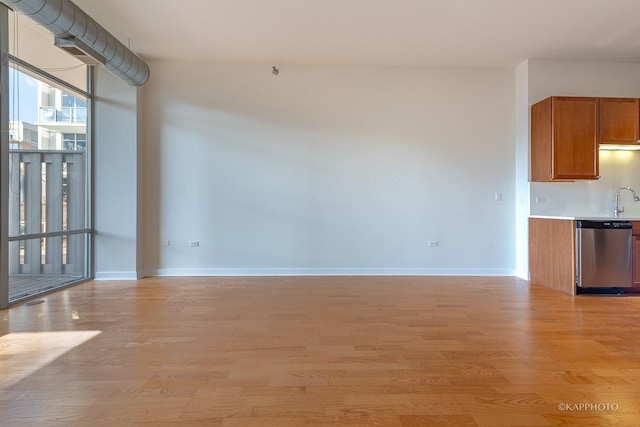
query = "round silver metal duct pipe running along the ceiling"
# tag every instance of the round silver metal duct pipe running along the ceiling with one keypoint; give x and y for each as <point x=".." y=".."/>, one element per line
<point x="64" y="19"/>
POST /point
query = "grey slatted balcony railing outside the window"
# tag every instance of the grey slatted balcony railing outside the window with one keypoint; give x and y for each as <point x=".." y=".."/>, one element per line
<point x="47" y="213"/>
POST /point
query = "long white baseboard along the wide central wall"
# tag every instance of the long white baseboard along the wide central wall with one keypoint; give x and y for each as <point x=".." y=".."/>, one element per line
<point x="187" y="272"/>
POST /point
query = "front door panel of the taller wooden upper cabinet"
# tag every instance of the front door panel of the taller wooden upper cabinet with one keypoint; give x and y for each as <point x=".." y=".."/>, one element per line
<point x="575" y="133"/>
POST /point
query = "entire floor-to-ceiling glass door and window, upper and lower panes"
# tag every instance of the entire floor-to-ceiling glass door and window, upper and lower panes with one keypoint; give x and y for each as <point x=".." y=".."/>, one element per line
<point x="48" y="164"/>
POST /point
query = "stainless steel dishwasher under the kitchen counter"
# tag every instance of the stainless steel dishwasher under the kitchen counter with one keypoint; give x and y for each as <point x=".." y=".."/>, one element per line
<point x="603" y="254"/>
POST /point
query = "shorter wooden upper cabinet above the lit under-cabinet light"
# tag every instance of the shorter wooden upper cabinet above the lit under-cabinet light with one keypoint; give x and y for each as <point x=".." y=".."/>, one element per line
<point x="619" y="120"/>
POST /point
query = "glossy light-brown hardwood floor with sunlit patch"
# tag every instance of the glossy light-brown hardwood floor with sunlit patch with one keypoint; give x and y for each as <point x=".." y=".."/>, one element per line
<point x="320" y="351"/>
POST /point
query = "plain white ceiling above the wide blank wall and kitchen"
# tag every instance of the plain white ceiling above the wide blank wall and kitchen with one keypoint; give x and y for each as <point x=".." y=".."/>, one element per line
<point x="375" y="32"/>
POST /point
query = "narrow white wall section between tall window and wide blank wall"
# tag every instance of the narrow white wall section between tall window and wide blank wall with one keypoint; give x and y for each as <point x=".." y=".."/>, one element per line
<point x="115" y="174"/>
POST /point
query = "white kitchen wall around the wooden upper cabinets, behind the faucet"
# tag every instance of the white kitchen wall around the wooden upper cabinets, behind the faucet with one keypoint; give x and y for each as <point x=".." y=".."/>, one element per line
<point x="567" y="78"/>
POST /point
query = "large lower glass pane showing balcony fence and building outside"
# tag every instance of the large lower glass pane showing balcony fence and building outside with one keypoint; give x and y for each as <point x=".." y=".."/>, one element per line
<point x="48" y="182"/>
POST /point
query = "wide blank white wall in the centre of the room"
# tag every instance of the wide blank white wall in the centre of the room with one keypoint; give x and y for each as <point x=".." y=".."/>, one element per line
<point x="328" y="170"/>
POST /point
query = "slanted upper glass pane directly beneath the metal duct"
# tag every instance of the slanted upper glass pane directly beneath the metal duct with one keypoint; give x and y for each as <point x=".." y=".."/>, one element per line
<point x="33" y="44"/>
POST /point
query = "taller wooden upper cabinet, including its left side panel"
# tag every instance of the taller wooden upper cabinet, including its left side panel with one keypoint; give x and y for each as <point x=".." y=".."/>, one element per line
<point x="564" y="139"/>
